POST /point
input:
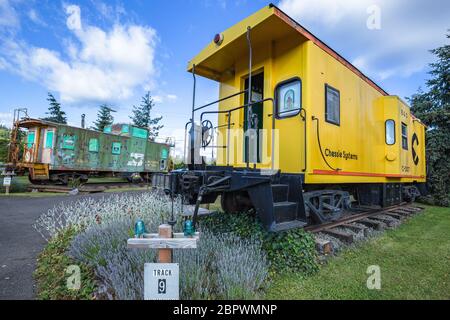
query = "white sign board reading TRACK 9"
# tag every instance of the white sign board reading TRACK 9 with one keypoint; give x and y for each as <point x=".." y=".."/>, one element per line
<point x="161" y="281"/>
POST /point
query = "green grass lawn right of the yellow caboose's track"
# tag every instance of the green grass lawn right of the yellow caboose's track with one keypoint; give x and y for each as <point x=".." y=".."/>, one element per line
<point x="414" y="261"/>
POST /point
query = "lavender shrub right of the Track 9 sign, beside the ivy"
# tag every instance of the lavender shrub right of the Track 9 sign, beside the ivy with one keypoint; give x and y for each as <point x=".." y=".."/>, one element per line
<point x="222" y="267"/>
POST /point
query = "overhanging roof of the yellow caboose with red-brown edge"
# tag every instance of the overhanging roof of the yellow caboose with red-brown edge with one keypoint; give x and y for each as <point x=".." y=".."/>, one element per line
<point x="267" y="24"/>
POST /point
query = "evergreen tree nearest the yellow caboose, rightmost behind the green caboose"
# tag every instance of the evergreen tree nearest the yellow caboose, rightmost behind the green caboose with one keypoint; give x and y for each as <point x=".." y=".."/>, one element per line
<point x="142" y="116"/>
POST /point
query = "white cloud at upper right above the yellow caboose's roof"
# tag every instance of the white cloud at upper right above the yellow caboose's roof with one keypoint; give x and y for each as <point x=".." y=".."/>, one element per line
<point x="400" y="48"/>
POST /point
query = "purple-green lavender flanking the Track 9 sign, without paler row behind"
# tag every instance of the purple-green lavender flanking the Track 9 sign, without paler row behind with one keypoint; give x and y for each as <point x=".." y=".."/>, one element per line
<point x="222" y="267"/>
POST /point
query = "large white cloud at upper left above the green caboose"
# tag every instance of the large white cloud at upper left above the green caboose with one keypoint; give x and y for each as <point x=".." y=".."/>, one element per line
<point x="99" y="65"/>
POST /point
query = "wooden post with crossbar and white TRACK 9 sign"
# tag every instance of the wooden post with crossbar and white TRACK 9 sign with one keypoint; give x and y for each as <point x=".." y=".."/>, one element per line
<point x="162" y="280"/>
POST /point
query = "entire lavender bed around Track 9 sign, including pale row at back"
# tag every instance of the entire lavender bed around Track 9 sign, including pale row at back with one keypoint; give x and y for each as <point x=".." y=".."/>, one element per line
<point x="222" y="267"/>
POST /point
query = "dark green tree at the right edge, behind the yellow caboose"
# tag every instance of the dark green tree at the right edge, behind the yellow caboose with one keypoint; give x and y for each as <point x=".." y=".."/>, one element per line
<point x="433" y="108"/>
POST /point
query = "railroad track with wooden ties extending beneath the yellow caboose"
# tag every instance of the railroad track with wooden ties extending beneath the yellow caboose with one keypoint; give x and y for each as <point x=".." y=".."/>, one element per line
<point x="359" y="224"/>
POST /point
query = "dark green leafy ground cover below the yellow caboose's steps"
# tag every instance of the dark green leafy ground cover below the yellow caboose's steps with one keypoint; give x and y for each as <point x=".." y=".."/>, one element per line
<point x="292" y="250"/>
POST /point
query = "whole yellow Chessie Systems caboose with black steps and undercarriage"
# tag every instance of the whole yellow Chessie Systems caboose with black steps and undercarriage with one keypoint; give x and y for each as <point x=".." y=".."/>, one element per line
<point x="312" y="137"/>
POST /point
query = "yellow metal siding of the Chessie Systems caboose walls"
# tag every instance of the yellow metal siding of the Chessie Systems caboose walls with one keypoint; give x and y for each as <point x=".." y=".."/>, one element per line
<point x="359" y="141"/>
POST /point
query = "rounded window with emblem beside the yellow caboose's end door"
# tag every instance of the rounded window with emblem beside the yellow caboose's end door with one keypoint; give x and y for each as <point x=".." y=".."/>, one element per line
<point x="289" y="98"/>
